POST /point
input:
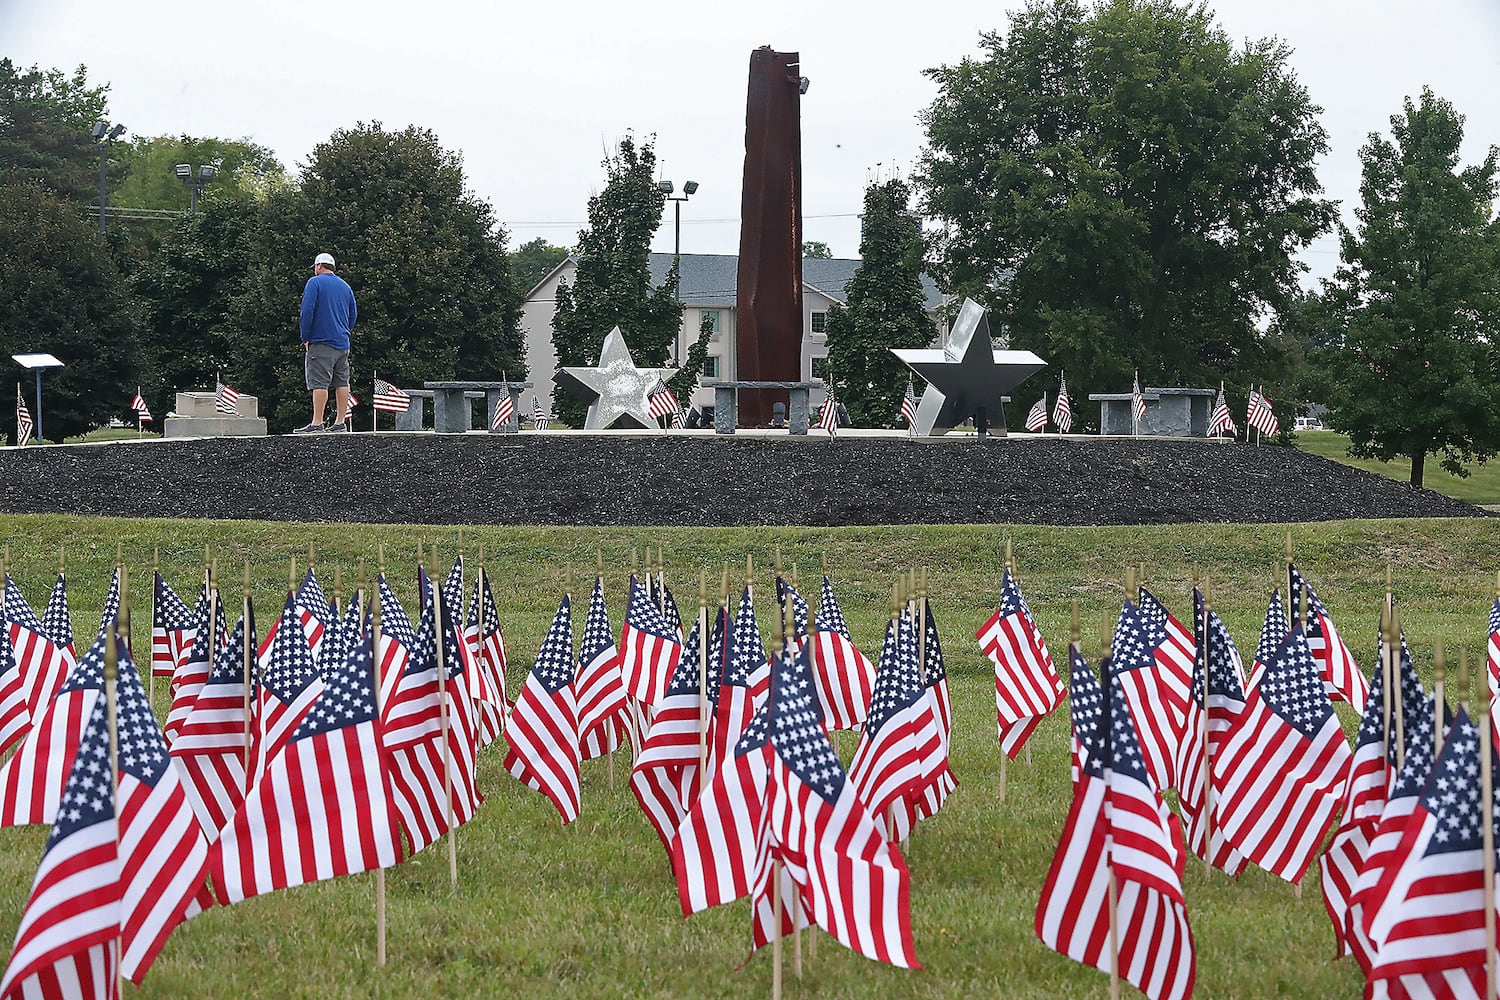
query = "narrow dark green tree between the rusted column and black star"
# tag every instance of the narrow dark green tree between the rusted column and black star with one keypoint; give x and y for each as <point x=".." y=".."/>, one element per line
<point x="886" y="308"/>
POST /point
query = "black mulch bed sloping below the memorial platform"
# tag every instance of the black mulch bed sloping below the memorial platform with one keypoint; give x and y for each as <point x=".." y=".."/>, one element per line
<point x="562" y="479"/>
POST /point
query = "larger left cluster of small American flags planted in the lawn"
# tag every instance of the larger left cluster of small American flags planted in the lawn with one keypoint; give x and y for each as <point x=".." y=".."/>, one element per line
<point x="346" y="740"/>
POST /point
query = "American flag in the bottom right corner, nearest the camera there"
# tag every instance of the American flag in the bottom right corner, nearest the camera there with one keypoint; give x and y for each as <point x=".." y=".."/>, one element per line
<point x="1433" y="918"/>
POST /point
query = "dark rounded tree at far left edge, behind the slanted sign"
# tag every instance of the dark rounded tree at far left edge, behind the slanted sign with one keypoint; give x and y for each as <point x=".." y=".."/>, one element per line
<point x="62" y="293"/>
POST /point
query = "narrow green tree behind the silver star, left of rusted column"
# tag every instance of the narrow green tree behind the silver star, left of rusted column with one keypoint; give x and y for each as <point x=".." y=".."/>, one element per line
<point x="613" y="283"/>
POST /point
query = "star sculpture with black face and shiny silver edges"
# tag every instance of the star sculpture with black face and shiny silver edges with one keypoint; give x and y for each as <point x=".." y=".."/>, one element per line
<point x="968" y="377"/>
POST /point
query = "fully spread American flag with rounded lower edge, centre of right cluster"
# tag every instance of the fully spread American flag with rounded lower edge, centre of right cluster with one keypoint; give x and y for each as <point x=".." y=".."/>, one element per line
<point x="1288" y="759"/>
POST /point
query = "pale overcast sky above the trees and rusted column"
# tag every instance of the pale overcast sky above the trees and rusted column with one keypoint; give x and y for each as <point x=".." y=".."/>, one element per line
<point x="533" y="94"/>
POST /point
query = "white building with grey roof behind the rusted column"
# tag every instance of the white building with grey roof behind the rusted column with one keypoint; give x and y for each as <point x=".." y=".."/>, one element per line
<point x="707" y="287"/>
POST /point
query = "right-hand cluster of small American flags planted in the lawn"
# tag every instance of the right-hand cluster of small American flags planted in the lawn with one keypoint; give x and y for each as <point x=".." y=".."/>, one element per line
<point x="1175" y="708"/>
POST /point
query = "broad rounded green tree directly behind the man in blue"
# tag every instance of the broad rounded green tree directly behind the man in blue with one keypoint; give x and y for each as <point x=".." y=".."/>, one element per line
<point x="424" y="254"/>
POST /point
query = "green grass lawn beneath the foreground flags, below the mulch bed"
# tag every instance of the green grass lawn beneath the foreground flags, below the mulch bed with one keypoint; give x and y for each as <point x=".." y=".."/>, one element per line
<point x="590" y="911"/>
